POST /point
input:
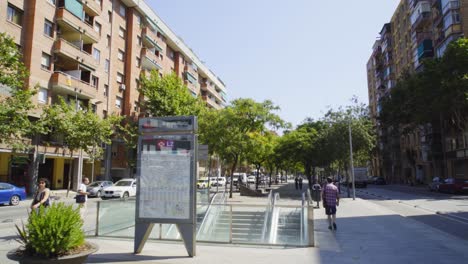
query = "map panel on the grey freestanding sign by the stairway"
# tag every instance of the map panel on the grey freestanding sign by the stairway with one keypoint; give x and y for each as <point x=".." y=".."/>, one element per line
<point x="165" y="177"/>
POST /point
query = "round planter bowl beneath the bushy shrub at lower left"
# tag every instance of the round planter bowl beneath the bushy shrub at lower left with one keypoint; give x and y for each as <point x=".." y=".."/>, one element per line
<point x="78" y="258"/>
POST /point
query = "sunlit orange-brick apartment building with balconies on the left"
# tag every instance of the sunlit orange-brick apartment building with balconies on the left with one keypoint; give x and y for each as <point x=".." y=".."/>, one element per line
<point x="93" y="52"/>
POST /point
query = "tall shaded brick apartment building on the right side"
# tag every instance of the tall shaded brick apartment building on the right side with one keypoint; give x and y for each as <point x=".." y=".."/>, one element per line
<point x="419" y="29"/>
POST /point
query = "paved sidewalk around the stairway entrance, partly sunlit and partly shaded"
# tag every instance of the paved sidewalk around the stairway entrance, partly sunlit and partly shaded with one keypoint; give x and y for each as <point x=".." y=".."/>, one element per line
<point x="367" y="233"/>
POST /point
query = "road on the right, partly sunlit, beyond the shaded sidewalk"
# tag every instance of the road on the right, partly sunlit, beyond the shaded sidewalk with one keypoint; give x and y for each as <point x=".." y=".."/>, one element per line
<point x="447" y="213"/>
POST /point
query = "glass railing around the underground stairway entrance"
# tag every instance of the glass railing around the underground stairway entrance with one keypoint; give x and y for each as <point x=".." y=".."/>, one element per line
<point x="270" y="224"/>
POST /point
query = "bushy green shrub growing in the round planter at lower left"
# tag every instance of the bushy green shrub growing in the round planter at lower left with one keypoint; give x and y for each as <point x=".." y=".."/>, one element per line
<point x="53" y="232"/>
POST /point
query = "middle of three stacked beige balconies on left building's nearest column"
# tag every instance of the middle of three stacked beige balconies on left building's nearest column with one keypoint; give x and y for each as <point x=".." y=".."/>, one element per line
<point x="73" y="52"/>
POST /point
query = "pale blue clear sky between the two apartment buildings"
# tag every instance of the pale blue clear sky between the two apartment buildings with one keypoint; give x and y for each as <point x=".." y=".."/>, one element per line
<point x="306" y="56"/>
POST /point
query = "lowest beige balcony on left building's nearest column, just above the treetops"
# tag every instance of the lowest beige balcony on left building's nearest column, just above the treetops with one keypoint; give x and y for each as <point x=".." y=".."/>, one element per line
<point x="67" y="84"/>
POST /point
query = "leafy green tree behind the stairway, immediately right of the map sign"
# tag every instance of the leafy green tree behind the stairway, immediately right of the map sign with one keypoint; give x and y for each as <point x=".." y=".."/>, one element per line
<point x="228" y="132"/>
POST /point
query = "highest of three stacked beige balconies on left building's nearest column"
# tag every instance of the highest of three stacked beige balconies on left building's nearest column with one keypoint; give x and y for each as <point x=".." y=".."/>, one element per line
<point x="69" y="22"/>
